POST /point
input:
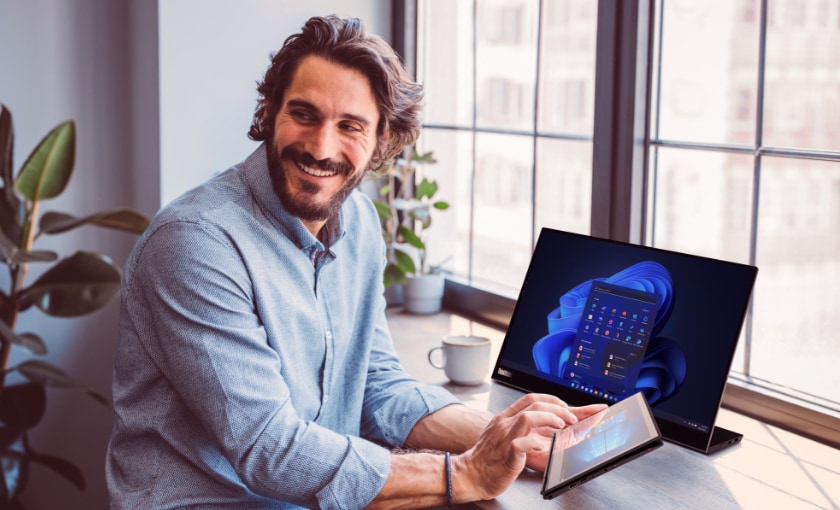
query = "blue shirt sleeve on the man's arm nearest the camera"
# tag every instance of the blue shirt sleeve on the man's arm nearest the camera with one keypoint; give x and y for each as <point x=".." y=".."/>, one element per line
<point x="193" y="312"/>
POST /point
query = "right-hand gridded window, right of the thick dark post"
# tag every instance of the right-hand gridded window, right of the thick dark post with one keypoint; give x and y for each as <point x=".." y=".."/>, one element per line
<point x="757" y="181"/>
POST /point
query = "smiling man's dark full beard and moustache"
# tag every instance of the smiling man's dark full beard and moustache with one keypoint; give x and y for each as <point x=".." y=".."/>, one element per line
<point x="303" y="204"/>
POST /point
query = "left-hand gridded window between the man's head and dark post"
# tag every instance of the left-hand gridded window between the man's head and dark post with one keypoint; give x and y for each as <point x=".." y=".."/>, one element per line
<point x="510" y="124"/>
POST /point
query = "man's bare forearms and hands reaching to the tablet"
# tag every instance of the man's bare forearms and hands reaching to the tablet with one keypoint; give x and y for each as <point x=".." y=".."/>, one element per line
<point x="493" y="457"/>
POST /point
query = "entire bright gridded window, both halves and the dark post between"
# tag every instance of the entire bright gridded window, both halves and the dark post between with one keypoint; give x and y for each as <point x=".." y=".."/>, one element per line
<point x="740" y="156"/>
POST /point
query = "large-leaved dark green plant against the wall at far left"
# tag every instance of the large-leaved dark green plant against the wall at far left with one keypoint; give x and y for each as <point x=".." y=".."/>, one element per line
<point x="73" y="286"/>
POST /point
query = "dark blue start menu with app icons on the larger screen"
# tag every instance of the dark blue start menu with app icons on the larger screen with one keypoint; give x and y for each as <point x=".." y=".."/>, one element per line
<point x="611" y="340"/>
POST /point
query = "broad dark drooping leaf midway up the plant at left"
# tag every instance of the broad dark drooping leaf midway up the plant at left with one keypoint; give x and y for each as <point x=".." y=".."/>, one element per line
<point x="75" y="286"/>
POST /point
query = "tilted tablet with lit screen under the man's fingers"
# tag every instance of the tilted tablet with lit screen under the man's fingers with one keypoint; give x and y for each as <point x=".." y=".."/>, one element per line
<point x="599" y="443"/>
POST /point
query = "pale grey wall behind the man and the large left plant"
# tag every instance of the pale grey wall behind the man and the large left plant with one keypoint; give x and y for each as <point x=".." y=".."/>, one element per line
<point x="162" y="94"/>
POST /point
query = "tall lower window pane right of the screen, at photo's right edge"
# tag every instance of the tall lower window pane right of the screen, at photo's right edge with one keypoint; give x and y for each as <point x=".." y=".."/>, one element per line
<point x="797" y="302"/>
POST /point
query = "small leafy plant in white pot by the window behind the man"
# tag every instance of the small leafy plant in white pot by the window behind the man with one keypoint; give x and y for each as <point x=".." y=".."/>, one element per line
<point x="405" y="212"/>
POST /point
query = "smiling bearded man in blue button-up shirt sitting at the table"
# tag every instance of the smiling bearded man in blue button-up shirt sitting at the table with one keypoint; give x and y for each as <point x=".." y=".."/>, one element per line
<point x="254" y="367"/>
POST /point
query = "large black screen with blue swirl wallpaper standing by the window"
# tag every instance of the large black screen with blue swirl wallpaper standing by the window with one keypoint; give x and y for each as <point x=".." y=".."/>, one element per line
<point x="599" y="320"/>
